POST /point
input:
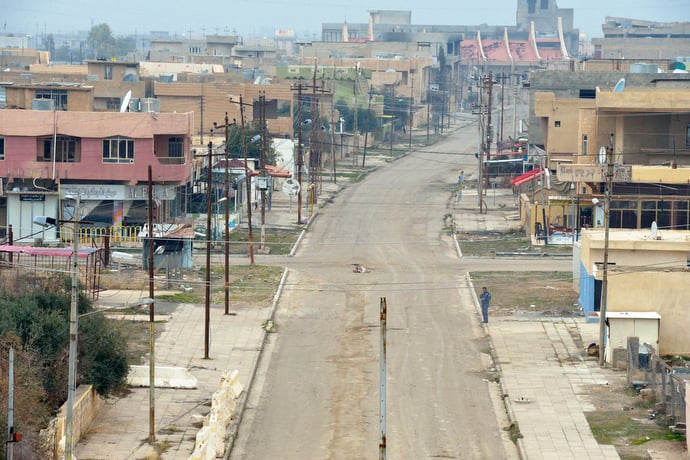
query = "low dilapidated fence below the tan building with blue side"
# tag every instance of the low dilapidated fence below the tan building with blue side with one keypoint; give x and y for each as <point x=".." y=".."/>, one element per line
<point x="667" y="382"/>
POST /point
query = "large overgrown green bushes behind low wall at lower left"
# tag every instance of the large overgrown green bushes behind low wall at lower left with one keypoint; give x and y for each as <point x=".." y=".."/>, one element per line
<point x="34" y="322"/>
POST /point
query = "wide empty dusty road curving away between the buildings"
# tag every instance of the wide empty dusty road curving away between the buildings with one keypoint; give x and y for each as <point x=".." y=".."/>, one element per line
<point x="316" y="395"/>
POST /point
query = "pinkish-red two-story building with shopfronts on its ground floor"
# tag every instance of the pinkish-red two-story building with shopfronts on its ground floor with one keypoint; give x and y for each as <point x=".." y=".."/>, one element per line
<point x="100" y="157"/>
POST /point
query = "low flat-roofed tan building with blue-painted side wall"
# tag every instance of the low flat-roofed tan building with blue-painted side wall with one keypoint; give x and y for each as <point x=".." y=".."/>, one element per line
<point x="648" y="273"/>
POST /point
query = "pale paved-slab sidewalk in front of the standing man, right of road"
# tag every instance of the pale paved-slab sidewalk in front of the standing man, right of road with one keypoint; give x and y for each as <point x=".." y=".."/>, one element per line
<point x="546" y="381"/>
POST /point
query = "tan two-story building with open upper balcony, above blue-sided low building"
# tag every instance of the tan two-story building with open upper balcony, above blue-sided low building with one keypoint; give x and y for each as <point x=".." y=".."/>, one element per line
<point x="646" y="132"/>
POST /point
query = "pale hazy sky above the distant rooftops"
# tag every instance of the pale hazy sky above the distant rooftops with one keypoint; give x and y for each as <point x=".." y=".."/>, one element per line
<point x="261" y="17"/>
